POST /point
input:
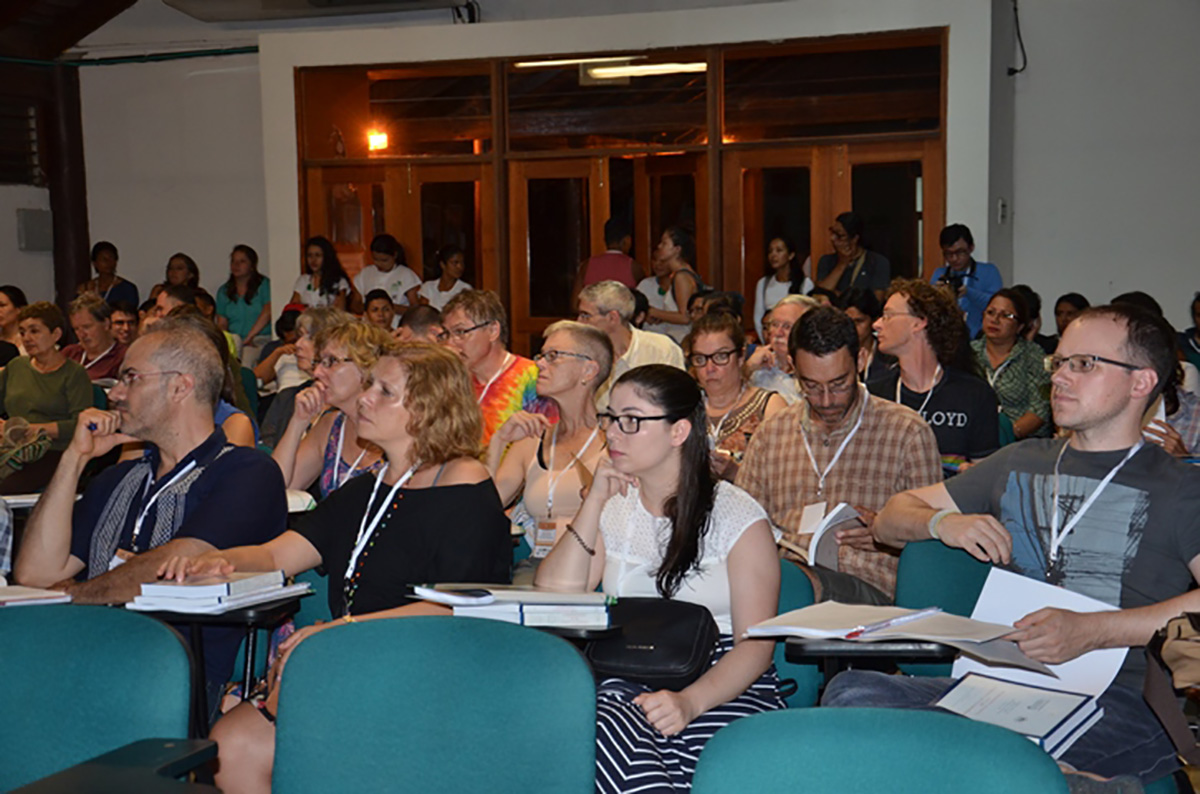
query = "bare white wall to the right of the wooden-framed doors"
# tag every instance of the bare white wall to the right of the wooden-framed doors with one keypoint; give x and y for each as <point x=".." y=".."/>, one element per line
<point x="1107" y="169"/>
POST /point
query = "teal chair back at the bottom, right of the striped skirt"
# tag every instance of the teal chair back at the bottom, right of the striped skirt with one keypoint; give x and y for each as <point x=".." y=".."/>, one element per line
<point x="833" y="751"/>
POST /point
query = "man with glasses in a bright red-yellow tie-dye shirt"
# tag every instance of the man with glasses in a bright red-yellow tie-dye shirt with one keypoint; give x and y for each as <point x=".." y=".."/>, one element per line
<point x="478" y="330"/>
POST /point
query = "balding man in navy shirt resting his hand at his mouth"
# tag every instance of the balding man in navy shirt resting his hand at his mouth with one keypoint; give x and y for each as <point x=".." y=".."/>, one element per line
<point x="193" y="492"/>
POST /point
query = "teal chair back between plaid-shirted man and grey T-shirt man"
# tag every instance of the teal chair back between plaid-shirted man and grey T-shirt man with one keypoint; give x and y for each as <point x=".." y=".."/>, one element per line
<point x="934" y="575"/>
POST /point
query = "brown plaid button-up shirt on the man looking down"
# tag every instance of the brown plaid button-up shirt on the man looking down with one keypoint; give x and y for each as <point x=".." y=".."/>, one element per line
<point x="895" y="450"/>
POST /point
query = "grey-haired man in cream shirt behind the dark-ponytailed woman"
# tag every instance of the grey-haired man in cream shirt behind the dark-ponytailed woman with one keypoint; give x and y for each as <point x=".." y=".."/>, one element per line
<point x="610" y="306"/>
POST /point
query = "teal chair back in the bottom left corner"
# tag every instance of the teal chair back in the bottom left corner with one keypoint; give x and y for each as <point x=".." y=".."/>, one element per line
<point x="80" y="682"/>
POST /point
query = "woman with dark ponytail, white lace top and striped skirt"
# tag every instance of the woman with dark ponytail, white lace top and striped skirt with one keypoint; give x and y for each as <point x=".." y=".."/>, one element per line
<point x="657" y="524"/>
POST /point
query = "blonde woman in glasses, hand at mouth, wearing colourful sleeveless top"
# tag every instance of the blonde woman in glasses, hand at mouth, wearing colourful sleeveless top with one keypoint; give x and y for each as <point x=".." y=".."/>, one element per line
<point x="322" y="443"/>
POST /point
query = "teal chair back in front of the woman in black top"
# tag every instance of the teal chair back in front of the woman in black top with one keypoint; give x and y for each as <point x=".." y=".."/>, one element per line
<point x="436" y="705"/>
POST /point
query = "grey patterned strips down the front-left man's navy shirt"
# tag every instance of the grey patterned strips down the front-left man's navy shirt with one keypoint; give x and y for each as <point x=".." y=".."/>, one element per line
<point x="169" y="518"/>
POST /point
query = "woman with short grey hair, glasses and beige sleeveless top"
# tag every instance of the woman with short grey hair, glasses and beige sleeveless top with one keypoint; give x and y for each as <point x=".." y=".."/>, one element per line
<point x="548" y="466"/>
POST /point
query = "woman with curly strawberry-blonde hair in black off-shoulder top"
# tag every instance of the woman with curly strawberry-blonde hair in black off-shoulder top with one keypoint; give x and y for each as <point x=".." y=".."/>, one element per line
<point x="431" y="515"/>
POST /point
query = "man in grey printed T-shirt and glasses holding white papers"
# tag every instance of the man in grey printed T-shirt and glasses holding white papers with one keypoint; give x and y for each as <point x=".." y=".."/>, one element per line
<point x="1101" y="513"/>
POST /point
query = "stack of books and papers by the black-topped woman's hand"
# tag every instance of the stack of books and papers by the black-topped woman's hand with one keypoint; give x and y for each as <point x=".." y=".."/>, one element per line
<point x="217" y="594"/>
